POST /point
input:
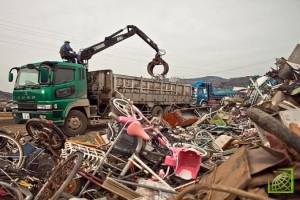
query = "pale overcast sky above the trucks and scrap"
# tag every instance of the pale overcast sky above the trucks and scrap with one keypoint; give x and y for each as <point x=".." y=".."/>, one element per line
<point x="227" y="38"/>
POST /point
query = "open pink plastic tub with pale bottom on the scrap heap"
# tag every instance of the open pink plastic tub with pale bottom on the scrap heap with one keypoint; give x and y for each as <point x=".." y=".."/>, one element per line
<point x="188" y="163"/>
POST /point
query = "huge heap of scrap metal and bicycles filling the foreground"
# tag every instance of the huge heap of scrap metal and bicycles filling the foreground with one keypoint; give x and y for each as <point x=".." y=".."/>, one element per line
<point x="233" y="152"/>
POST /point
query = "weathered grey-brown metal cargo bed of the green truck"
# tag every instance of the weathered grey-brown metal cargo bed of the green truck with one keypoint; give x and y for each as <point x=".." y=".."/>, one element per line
<point x="103" y="83"/>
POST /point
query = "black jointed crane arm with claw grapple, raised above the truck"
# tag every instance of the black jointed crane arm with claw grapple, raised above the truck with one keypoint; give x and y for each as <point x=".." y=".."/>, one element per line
<point x="86" y="54"/>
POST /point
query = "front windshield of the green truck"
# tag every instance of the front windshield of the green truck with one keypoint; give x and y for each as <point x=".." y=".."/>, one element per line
<point x="27" y="77"/>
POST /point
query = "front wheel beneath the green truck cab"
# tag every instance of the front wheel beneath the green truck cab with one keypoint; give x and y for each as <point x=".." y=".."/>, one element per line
<point x="75" y="123"/>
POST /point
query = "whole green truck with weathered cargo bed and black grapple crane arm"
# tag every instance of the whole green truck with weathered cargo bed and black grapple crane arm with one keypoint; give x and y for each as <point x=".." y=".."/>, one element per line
<point x="72" y="97"/>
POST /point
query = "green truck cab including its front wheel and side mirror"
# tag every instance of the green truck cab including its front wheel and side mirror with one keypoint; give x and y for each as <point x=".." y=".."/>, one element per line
<point x="52" y="90"/>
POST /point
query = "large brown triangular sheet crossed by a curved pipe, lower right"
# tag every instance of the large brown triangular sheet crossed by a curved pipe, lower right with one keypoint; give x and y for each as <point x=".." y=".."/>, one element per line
<point x="234" y="172"/>
